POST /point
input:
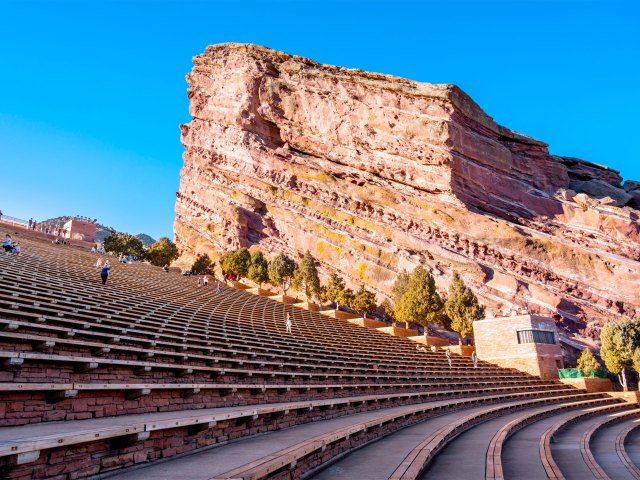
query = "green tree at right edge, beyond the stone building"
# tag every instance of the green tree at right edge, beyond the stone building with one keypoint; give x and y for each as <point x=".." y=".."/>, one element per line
<point x="620" y="340"/>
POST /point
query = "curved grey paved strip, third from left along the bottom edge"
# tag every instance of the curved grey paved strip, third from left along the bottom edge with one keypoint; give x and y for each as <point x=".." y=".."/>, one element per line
<point x="465" y="457"/>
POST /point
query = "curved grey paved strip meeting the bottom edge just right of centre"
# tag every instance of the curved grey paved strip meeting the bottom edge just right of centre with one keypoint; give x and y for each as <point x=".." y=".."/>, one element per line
<point x="379" y="460"/>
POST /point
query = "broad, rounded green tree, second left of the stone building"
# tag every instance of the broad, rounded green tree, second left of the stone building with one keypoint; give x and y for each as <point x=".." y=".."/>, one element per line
<point x="421" y="302"/>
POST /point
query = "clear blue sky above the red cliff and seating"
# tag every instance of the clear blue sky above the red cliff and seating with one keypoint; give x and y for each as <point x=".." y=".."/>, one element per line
<point x="92" y="92"/>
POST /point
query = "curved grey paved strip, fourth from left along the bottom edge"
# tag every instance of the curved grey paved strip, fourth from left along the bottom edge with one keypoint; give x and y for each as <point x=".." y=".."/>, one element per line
<point x="515" y="465"/>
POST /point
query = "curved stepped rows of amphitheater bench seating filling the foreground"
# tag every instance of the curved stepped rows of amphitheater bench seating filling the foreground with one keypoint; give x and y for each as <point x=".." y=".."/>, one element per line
<point x="99" y="378"/>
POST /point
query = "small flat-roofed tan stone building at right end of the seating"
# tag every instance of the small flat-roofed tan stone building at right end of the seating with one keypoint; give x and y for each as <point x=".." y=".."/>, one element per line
<point x="497" y="342"/>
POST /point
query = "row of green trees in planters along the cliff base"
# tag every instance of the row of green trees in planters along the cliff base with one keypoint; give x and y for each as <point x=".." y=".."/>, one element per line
<point x="415" y="298"/>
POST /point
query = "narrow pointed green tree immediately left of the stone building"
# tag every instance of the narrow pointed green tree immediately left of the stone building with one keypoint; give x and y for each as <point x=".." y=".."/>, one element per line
<point x="462" y="308"/>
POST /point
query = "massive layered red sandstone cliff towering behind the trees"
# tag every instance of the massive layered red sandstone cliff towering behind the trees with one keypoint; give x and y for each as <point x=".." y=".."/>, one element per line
<point x="375" y="174"/>
